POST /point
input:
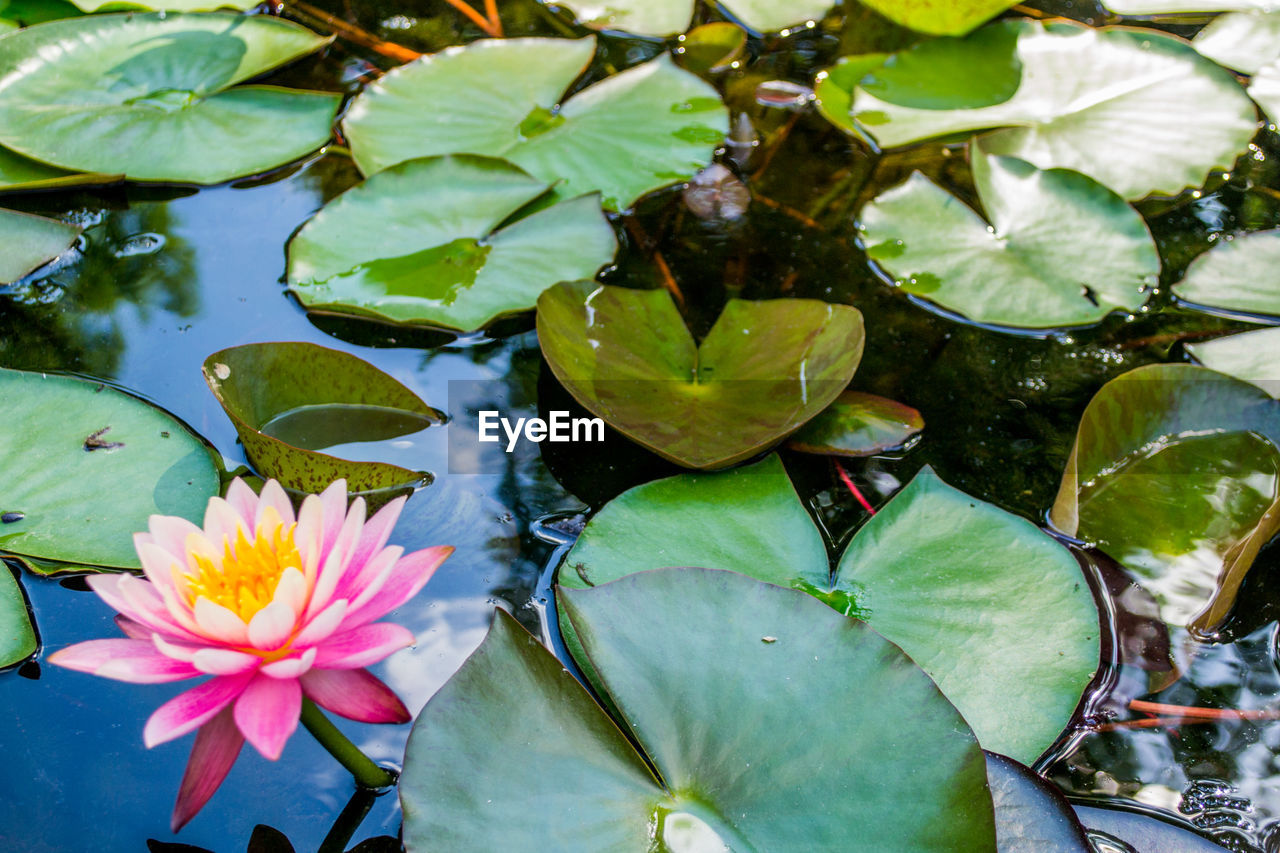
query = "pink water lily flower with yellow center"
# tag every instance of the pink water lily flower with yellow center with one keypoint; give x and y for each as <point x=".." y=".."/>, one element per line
<point x="276" y="608"/>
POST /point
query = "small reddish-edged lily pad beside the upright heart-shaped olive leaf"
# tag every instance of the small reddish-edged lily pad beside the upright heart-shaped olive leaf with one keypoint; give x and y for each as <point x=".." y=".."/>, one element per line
<point x="858" y="425"/>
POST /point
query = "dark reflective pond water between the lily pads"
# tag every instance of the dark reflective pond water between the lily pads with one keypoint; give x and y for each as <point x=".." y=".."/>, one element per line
<point x="166" y="277"/>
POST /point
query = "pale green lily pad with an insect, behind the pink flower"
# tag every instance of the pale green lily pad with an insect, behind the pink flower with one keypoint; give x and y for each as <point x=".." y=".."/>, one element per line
<point x="86" y="466"/>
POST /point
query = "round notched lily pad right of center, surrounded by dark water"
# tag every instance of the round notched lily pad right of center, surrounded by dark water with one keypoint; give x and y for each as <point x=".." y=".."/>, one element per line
<point x="1026" y="270"/>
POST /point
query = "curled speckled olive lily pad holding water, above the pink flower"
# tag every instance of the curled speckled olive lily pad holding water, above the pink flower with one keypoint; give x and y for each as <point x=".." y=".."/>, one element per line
<point x="291" y="402"/>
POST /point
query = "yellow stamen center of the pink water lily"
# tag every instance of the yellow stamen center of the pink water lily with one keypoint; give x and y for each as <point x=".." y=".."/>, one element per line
<point x="246" y="578"/>
